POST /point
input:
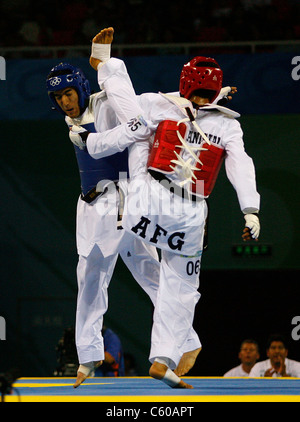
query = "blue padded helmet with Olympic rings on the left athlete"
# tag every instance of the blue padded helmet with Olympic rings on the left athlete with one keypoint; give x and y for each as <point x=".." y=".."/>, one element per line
<point x="63" y="76"/>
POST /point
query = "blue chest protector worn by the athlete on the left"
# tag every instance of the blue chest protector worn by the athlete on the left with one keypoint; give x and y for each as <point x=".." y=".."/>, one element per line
<point x="92" y="171"/>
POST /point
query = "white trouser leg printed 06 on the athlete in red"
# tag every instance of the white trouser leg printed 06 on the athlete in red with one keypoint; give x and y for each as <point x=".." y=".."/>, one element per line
<point x="172" y="332"/>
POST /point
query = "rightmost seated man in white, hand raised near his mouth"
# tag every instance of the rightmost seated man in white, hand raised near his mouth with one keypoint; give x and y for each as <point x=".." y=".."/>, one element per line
<point x="278" y="365"/>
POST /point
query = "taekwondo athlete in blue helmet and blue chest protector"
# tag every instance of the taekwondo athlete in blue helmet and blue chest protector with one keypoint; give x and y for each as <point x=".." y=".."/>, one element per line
<point x="98" y="237"/>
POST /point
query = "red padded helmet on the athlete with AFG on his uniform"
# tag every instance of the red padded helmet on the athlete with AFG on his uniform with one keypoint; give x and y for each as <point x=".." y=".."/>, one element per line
<point x="201" y="73"/>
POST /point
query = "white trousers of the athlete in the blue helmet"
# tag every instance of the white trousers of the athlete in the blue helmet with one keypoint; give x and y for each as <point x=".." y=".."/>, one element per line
<point x="94" y="273"/>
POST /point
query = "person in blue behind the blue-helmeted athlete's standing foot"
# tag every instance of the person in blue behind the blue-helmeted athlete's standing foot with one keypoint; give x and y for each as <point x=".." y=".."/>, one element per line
<point x="113" y="364"/>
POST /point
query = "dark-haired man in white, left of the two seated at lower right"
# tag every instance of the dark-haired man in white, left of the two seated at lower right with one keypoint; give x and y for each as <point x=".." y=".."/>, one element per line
<point x="248" y="355"/>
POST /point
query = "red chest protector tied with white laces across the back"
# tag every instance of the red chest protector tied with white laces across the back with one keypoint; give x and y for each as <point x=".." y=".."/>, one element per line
<point x="167" y="142"/>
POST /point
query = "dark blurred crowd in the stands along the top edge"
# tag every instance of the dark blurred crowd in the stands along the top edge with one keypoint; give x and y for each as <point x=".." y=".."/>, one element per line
<point x="61" y="22"/>
